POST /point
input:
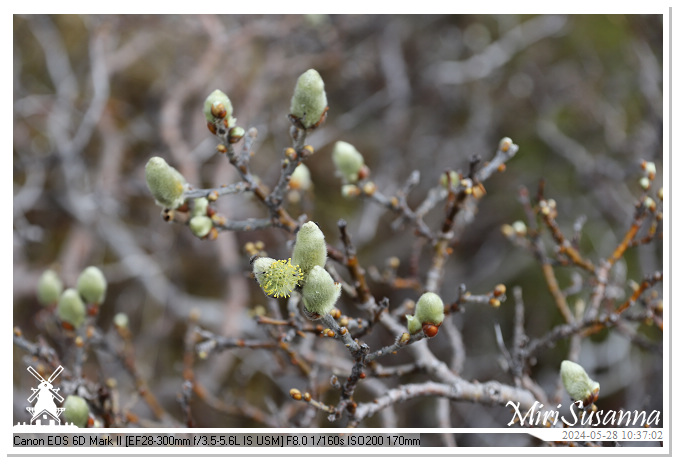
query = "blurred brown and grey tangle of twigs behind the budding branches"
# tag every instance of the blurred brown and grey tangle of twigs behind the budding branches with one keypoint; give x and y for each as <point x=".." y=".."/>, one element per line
<point x="96" y="96"/>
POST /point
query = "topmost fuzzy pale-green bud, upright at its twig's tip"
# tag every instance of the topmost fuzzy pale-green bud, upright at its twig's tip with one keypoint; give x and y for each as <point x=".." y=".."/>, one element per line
<point x="309" y="102"/>
